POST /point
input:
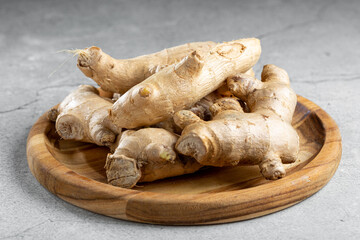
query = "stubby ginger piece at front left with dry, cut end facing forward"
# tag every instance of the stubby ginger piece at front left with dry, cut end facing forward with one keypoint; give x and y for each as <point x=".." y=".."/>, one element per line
<point x="146" y="155"/>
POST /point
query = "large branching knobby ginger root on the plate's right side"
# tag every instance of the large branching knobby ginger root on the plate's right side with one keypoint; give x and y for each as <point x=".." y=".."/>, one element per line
<point x="262" y="137"/>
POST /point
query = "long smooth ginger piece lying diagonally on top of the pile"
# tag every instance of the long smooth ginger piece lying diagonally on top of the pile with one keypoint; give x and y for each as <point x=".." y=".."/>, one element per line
<point x="179" y="86"/>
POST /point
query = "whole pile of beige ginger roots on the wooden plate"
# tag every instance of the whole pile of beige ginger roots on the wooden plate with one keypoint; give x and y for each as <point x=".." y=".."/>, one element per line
<point x="172" y="112"/>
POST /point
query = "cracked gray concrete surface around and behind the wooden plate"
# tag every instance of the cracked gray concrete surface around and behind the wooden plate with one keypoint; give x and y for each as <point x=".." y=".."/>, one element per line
<point x="317" y="42"/>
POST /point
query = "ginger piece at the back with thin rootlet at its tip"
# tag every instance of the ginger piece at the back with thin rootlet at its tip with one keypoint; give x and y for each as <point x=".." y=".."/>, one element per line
<point x="119" y="75"/>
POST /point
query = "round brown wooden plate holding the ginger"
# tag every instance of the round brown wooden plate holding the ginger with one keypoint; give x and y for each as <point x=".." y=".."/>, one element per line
<point x="75" y="172"/>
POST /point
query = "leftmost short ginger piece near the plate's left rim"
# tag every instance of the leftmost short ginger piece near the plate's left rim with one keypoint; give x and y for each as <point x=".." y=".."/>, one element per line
<point x="83" y="116"/>
